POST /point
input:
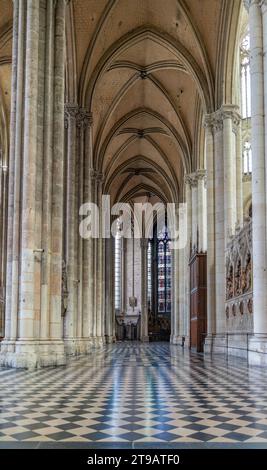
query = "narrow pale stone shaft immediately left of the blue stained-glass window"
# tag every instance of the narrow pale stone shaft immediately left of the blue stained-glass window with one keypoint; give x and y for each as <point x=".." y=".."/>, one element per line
<point x="144" y="306"/>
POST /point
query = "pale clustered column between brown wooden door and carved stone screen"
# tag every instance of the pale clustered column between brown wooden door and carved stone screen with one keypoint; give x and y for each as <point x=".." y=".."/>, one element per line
<point x="223" y="208"/>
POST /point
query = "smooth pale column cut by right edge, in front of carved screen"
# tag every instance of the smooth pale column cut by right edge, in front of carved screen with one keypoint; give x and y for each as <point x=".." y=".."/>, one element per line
<point x="258" y="42"/>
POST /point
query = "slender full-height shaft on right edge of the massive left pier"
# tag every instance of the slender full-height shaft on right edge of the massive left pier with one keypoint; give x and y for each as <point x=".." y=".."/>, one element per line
<point x="58" y="49"/>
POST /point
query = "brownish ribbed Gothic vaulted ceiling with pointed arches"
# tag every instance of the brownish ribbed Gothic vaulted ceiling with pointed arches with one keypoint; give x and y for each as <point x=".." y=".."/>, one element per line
<point x="147" y="70"/>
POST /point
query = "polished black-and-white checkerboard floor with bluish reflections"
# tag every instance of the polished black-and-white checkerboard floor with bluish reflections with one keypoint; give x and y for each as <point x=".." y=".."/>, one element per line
<point x="136" y="393"/>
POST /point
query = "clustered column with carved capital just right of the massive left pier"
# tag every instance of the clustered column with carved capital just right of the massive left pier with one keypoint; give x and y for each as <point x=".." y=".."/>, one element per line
<point x="77" y="254"/>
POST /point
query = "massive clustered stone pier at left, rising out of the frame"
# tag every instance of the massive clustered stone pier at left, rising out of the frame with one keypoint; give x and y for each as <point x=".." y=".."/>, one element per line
<point x="38" y="35"/>
